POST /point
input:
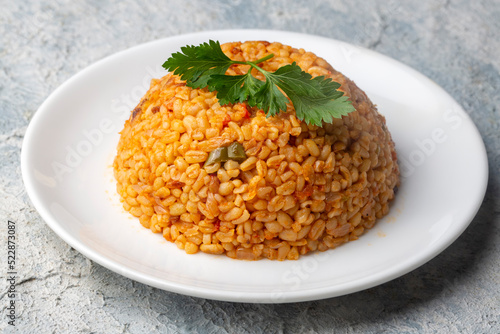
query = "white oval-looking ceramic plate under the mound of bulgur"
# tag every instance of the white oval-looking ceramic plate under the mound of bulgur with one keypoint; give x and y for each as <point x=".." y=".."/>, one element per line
<point x="70" y="144"/>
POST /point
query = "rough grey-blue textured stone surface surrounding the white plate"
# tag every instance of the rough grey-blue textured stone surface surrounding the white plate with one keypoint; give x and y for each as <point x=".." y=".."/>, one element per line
<point x="42" y="43"/>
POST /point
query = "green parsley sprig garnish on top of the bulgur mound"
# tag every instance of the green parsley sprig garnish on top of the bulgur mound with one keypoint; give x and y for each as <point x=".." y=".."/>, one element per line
<point x="315" y="100"/>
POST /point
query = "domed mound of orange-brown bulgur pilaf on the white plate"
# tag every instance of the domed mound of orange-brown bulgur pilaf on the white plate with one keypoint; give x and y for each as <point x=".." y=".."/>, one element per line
<point x="301" y="188"/>
